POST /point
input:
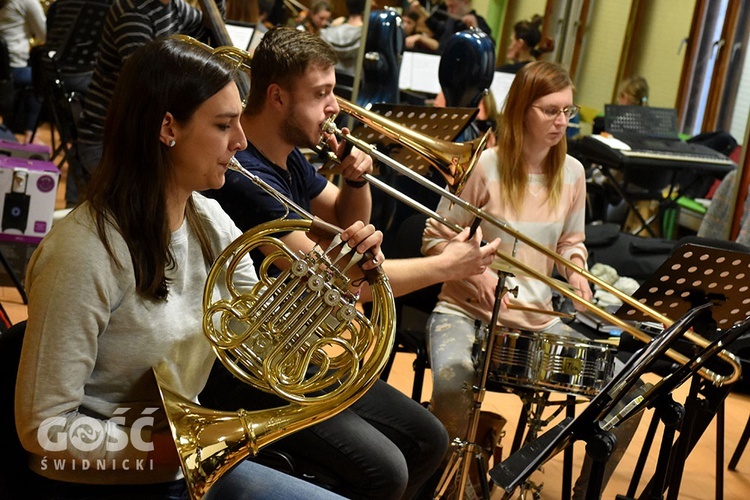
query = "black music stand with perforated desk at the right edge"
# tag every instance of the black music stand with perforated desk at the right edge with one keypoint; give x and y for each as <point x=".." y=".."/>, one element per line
<point x="696" y="272"/>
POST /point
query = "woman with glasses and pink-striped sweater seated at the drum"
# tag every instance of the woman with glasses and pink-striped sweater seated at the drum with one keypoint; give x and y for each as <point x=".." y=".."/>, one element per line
<point x="530" y="182"/>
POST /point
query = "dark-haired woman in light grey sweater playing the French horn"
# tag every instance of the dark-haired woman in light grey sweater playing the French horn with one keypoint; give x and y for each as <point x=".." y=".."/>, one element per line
<point x="116" y="289"/>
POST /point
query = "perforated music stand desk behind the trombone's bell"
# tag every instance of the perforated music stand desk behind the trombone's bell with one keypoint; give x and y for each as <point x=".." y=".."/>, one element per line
<point x="441" y="123"/>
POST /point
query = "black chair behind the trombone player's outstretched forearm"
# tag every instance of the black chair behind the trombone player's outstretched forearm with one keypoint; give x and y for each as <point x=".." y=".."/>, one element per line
<point x="412" y="309"/>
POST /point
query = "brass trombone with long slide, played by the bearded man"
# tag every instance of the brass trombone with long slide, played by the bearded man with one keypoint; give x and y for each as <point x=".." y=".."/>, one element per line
<point x="457" y="156"/>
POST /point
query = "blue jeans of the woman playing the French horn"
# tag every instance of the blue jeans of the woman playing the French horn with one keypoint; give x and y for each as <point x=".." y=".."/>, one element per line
<point x="246" y="481"/>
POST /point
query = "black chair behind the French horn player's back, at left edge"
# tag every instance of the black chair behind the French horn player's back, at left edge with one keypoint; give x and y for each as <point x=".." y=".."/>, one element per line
<point x="15" y="476"/>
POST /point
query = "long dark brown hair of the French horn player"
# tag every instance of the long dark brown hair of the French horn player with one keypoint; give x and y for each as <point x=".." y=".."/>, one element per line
<point x="128" y="189"/>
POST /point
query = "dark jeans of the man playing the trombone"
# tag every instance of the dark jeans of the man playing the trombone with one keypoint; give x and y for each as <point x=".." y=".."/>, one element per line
<point x="383" y="446"/>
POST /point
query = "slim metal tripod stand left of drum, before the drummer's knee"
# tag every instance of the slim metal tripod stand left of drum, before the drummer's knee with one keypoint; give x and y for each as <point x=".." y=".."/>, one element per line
<point x="464" y="451"/>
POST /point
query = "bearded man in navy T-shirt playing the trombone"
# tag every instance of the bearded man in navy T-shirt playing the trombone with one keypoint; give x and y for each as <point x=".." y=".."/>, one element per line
<point x="385" y="445"/>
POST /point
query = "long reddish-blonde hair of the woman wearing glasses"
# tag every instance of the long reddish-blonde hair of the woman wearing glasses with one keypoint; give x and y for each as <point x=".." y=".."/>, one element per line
<point x="533" y="81"/>
